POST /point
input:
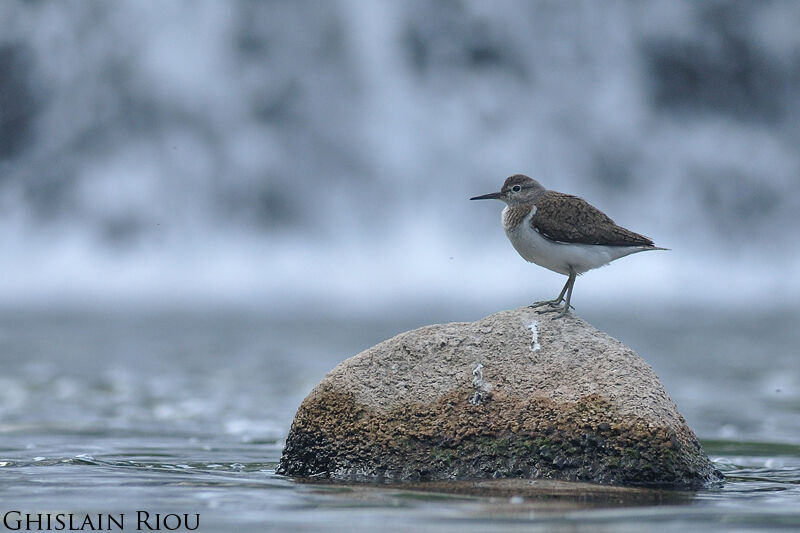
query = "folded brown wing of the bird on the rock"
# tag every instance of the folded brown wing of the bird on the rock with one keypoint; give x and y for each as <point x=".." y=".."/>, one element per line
<point x="566" y="218"/>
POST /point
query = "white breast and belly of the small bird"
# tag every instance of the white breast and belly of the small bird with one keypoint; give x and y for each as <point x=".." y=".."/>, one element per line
<point x="561" y="257"/>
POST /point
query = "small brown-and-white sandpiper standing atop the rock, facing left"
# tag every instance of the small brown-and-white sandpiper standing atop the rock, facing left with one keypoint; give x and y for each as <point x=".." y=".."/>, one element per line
<point x="562" y="233"/>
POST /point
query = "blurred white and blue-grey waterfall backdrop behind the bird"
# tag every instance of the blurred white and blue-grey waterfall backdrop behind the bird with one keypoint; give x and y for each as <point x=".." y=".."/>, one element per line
<point x="293" y="154"/>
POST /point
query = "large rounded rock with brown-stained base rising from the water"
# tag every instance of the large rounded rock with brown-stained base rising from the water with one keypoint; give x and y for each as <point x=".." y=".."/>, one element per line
<point x="513" y="395"/>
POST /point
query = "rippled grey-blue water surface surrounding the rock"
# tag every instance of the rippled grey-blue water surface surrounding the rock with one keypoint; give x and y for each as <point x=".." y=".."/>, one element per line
<point x="184" y="411"/>
